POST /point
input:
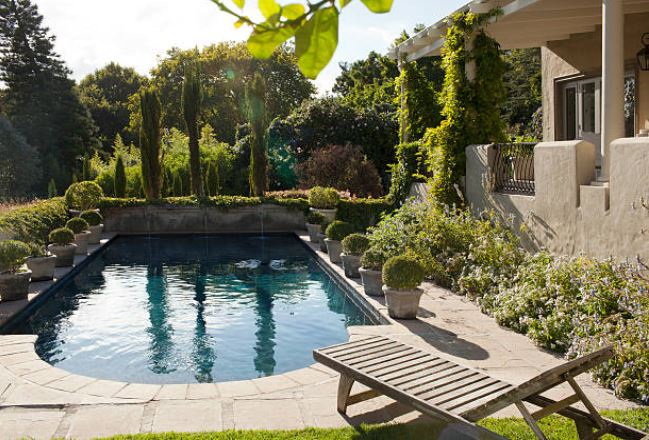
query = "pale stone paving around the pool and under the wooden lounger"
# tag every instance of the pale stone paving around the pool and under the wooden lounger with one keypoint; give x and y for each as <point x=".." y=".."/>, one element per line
<point x="41" y="401"/>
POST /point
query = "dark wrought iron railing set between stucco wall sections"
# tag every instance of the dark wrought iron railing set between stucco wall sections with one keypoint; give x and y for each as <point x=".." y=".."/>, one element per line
<point x="513" y="169"/>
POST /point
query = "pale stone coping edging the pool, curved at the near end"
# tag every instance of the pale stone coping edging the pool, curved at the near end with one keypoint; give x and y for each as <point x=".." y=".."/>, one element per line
<point x="19" y="358"/>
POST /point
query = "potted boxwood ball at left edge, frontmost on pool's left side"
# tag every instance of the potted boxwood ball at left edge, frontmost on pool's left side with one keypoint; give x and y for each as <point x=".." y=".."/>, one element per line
<point x="14" y="281"/>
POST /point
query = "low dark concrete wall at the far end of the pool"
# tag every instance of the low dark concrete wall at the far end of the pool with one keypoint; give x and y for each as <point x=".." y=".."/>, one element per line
<point x="202" y="220"/>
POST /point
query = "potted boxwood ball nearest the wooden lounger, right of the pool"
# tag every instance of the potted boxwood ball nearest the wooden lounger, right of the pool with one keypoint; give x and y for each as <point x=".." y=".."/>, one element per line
<point x="402" y="276"/>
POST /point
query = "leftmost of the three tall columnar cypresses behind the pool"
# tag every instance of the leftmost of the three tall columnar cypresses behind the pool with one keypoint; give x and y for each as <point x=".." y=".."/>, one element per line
<point x="150" y="144"/>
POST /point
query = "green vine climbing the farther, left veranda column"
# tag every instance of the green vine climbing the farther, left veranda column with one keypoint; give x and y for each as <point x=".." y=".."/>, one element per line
<point x="418" y="104"/>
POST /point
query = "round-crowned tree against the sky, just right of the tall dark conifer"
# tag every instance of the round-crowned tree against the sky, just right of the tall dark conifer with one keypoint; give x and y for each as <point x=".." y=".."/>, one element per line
<point x="106" y="93"/>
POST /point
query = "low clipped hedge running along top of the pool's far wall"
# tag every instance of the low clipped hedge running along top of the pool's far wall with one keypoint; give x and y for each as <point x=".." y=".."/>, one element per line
<point x="222" y="202"/>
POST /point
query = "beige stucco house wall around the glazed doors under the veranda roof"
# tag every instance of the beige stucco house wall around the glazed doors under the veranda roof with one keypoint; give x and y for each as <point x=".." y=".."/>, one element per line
<point x="582" y="55"/>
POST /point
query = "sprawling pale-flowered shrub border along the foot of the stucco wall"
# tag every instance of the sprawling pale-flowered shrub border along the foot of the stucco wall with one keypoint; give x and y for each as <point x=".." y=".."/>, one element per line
<point x="569" y="305"/>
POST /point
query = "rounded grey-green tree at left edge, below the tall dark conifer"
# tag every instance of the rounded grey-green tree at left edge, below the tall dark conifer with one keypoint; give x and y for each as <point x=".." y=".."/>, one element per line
<point x="19" y="162"/>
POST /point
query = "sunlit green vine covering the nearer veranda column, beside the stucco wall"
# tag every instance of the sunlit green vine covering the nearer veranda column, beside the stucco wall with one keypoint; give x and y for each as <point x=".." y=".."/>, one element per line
<point x="471" y="108"/>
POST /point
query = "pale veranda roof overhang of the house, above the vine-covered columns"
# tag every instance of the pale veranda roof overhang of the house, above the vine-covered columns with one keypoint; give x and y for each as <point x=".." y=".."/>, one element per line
<point x="523" y="24"/>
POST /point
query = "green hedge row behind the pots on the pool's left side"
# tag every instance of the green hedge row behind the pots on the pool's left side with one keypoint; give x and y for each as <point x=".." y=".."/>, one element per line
<point x="34" y="222"/>
